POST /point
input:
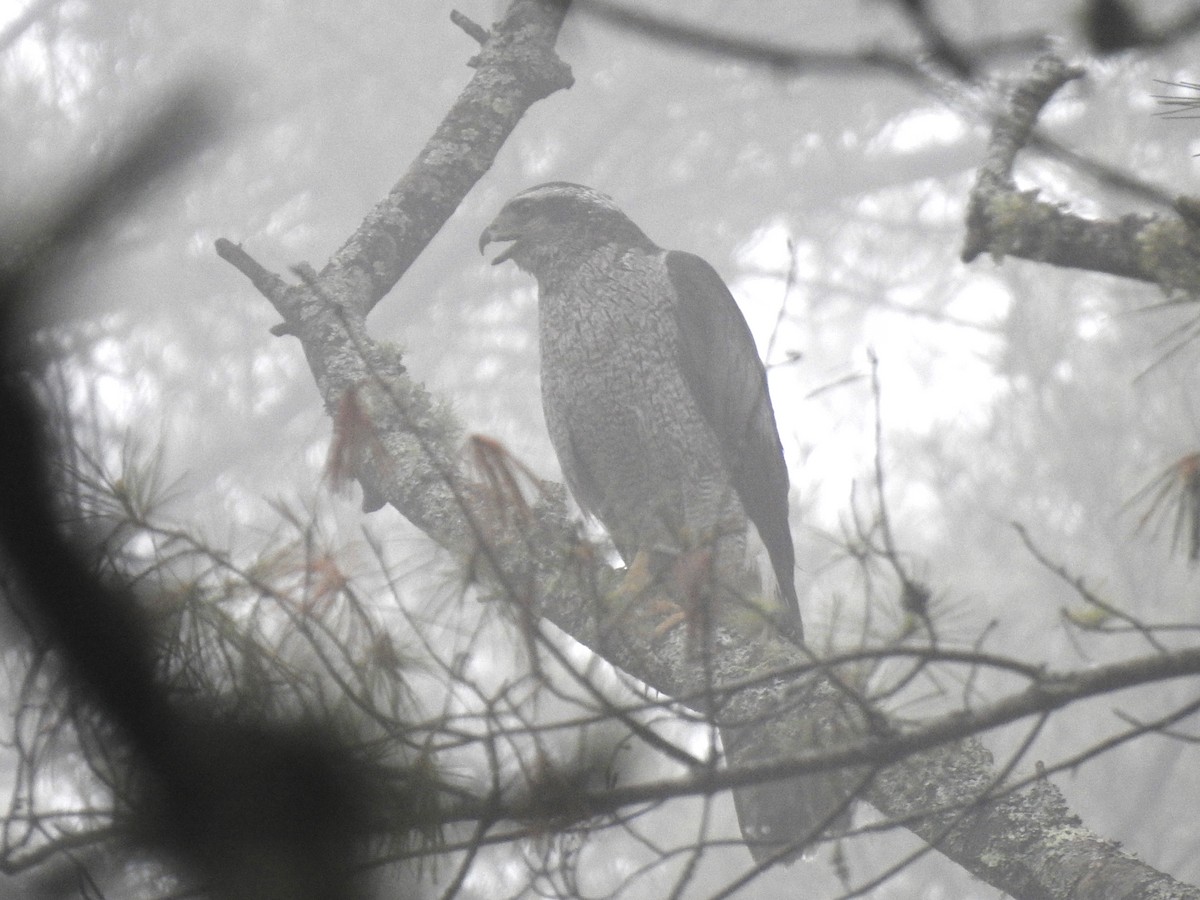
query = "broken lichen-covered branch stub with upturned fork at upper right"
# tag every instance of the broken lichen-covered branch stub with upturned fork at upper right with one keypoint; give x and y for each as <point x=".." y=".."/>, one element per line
<point x="1004" y="221"/>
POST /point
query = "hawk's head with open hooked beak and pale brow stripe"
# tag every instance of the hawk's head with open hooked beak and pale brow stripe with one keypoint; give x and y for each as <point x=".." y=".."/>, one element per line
<point x="556" y="221"/>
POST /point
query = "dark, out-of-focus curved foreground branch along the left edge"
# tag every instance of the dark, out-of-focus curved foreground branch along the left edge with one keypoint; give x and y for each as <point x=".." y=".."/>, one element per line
<point x="236" y="802"/>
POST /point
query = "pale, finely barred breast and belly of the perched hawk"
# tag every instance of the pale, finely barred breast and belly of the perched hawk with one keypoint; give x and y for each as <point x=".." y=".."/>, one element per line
<point x="614" y="393"/>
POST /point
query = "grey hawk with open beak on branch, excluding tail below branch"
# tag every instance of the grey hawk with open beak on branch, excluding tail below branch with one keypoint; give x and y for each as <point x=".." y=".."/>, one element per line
<point x="656" y="400"/>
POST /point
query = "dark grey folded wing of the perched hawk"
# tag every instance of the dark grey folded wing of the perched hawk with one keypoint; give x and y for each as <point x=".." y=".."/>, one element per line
<point x="722" y="367"/>
